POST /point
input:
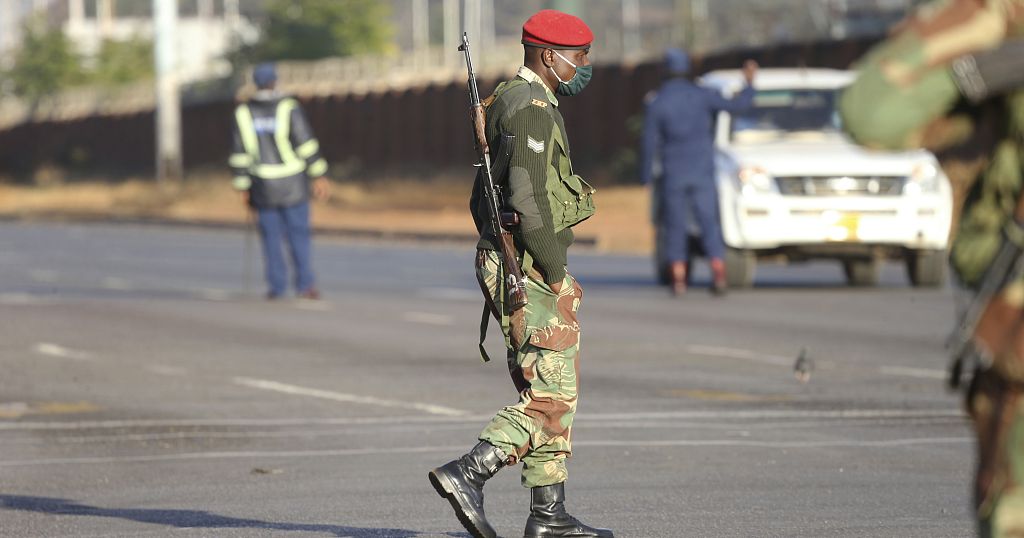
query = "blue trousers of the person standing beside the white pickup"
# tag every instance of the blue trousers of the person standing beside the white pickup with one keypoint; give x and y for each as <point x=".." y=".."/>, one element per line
<point x="680" y="199"/>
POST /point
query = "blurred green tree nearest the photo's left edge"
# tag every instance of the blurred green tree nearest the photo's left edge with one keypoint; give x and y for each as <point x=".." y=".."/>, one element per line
<point x="46" y="64"/>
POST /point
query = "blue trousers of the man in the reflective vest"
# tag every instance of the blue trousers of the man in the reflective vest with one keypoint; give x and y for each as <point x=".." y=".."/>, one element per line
<point x="291" y="224"/>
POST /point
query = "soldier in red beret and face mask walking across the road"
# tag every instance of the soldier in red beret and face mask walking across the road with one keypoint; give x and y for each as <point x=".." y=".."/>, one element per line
<point x="543" y="339"/>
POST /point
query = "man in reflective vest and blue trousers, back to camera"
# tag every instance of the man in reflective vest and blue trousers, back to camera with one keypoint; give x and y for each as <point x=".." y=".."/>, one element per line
<point x="277" y="164"/>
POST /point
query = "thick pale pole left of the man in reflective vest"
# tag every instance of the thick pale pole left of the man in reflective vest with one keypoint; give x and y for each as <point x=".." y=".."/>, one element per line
<point x="165" y="15"/>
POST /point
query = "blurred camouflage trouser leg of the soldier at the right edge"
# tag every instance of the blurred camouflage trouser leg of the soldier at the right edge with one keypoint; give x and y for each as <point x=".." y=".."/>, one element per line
<point x="998" y="412"/>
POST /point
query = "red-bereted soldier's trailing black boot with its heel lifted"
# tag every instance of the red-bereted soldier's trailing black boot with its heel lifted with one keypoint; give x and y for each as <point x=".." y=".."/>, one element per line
<point x="461" y="482"/>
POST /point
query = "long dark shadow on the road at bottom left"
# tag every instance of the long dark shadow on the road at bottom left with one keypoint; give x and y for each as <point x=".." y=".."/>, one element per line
<point x="192" y="519"/>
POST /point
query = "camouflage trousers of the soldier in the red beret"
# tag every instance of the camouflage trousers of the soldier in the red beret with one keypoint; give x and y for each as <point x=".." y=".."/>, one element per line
<point x="544" y="362"/>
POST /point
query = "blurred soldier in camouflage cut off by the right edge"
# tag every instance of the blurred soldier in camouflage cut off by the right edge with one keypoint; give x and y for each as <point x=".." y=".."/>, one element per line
<point x="953" y="78"/>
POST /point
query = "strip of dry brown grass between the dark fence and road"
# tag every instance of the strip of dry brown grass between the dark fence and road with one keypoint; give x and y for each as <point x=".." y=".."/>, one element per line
<point x="622" y="224"/>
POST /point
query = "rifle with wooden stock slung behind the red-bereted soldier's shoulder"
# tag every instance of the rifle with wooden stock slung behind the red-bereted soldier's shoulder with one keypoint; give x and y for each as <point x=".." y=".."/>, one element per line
<point x="514" y="273"/>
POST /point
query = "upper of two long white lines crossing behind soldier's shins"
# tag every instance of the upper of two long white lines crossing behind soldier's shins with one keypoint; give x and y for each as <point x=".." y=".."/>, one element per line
<point x="849" y="415"/>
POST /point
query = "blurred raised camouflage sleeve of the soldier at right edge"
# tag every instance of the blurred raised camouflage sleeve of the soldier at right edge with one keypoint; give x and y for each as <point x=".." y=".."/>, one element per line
<point x="906" y="88"/>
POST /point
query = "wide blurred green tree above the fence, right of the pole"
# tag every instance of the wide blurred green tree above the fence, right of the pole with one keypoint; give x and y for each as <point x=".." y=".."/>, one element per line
<point x="318" y="29"/>
